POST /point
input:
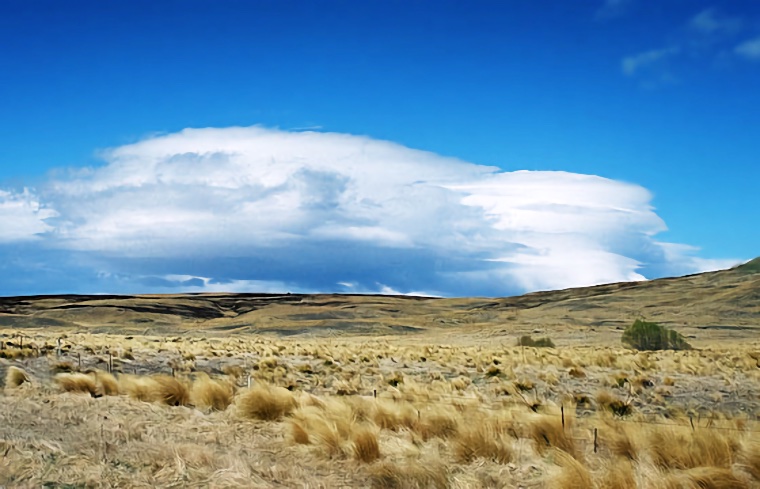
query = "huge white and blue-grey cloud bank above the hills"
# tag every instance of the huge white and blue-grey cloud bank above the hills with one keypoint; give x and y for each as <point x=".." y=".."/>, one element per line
<point x="263" y="209"/>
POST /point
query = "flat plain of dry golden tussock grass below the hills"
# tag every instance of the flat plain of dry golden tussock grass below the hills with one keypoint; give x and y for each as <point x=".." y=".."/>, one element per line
<point x="409" y="412"/>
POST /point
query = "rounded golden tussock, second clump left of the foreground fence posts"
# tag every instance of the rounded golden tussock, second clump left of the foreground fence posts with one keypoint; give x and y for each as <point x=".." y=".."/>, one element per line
<point x="482" y="441"/>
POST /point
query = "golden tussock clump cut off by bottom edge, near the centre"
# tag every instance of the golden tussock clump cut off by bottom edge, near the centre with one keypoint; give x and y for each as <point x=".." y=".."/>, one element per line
<point x="412" y="474"/>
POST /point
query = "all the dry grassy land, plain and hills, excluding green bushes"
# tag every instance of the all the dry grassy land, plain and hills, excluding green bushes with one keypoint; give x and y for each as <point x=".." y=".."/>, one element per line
<point x="339" y="391"/>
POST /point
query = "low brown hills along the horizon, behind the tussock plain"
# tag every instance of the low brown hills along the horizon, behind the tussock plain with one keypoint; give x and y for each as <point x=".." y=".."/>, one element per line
<point x="723" y="304"/>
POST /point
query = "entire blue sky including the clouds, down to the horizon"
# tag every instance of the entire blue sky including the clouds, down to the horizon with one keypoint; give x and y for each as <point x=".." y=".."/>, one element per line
<point x="637" y="123"/>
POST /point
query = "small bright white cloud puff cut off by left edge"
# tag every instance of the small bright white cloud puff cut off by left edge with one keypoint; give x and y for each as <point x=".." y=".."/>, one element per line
<point x="22" y="217"/>
